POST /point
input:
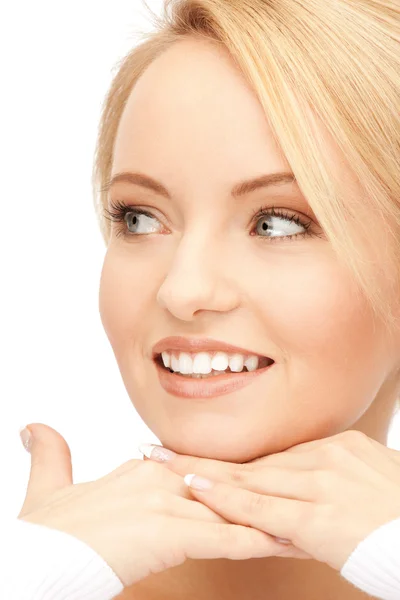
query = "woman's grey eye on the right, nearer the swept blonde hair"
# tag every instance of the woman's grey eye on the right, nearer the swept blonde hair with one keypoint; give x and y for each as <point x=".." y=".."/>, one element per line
<point x="274" y="223"/>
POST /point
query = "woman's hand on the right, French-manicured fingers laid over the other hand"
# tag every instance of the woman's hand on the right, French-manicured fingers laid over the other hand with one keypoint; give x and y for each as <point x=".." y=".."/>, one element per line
<point x="325" y="496"/>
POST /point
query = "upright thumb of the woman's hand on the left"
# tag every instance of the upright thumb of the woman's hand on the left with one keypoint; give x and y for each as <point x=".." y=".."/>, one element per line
<point x="51" y="465"/>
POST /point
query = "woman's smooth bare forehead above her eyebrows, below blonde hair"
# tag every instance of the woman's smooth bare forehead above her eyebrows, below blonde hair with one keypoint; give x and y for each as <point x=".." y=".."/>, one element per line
<point x="193" y="104"/>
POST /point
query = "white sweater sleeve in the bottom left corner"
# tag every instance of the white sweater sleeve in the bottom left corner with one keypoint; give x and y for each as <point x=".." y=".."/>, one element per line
<point x="40" y="563"/>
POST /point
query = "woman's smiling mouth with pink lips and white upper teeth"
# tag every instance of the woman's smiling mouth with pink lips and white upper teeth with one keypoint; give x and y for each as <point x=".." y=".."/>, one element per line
<point x="195" y="368"/>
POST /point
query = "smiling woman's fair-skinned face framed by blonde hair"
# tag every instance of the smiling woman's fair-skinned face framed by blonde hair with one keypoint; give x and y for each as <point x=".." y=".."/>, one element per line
<point x="202" y="264"/>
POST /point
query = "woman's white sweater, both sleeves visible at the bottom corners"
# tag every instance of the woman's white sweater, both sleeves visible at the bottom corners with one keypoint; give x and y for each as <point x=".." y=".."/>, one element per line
<point x="39" y="563"/>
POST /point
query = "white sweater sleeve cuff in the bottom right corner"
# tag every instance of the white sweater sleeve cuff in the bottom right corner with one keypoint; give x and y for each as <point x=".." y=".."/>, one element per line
<point x="374" y="565"/>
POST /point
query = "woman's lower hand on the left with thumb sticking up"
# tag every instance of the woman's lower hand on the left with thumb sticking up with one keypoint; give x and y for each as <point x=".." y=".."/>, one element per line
<point x="140" y="518"/>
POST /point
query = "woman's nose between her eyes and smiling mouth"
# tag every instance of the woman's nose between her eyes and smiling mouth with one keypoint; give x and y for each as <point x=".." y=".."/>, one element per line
<point x="197" y="281"/>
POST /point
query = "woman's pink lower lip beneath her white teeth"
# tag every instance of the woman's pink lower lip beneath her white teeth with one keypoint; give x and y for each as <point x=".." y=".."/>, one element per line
<point x="216" y="385"/>
